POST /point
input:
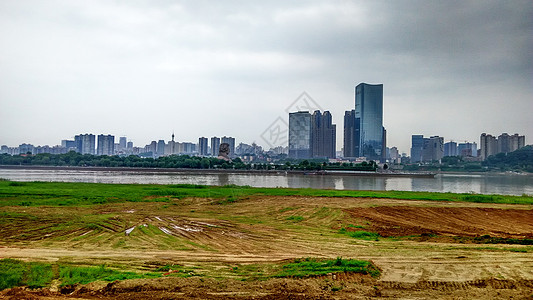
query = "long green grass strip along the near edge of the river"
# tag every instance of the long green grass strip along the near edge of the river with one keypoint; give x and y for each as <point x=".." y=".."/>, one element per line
<point x="74" y="194"/>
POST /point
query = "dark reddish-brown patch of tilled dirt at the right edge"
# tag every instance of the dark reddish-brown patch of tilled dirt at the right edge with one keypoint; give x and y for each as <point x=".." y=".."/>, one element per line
<point x="457" y="221"/>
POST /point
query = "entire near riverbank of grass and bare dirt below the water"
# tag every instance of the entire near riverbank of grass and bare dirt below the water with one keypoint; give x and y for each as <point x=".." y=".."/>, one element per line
<point x="223" y="242"/>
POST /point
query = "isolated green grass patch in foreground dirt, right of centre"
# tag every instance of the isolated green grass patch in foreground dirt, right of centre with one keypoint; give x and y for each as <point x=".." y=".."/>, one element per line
<point x="310" y="267"/>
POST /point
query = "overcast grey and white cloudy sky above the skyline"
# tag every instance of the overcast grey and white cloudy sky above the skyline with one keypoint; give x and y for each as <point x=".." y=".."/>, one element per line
<point x="146" y="69"/>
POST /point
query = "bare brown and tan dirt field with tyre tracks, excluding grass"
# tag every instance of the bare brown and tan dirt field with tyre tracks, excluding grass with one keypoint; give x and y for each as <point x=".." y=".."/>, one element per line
<point x="211" y="239"/>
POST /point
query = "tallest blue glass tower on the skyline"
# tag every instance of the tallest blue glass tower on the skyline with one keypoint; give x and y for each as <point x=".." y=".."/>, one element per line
<point x="369" y="111"/>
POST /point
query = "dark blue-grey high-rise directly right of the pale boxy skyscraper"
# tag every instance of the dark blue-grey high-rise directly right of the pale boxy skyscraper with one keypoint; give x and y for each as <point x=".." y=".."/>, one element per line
<point x="323" y="135"/>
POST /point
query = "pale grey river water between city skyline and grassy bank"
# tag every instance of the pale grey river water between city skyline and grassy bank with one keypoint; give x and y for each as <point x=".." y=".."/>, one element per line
<point x="505" y="184"/>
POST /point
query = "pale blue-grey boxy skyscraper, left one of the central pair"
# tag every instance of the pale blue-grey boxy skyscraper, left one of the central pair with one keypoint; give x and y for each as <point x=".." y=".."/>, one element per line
<point x="300" y="135"/>
